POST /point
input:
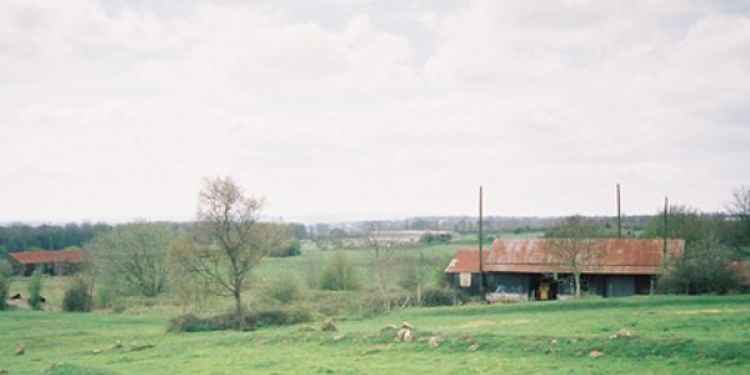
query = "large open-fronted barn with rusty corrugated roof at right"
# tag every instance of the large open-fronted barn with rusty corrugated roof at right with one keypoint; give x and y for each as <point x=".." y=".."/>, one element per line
<point x="531" y="270"/>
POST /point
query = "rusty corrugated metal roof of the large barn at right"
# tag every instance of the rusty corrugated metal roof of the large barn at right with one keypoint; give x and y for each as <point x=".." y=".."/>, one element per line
<point x="614" y="256"/>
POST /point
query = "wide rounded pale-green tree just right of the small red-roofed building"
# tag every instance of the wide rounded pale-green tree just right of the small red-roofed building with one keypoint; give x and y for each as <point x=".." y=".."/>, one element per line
<point x="133" y="255"/>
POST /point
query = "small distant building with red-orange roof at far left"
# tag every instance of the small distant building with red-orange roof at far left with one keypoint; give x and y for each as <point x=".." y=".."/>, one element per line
<point x="60" y="262"/>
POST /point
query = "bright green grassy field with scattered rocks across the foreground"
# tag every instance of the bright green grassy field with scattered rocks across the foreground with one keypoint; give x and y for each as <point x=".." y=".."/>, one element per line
<point x="700" y="335"/>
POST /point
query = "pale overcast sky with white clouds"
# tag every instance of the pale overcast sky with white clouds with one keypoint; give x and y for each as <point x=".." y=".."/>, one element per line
<point x="339" y="110"/>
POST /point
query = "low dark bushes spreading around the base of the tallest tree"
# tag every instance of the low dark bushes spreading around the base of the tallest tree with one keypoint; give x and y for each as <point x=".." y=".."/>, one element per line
<point x="249" y="320"/>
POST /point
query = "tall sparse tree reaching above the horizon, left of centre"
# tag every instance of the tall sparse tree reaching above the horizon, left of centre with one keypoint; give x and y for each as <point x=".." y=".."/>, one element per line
<point x="228" y="241"/>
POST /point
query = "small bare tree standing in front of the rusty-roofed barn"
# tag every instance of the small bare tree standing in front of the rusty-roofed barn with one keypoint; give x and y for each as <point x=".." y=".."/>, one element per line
<point x="573" y="245"/>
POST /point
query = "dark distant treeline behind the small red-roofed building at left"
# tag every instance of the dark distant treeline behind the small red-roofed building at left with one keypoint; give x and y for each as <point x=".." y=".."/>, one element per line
<point x="20" y="237"/>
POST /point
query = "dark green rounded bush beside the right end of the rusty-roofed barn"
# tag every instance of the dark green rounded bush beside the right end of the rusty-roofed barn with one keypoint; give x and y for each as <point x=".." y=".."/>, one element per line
<point x="704" y="268"/>
